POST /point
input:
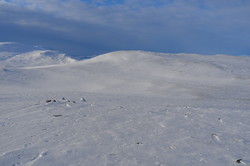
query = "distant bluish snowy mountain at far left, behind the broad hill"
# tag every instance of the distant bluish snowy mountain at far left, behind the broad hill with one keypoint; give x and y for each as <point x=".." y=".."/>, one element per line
<point x="16" y="55"/>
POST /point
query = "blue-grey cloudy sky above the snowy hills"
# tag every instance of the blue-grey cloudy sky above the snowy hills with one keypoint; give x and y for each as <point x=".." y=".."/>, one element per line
<point x="92" y="27"/>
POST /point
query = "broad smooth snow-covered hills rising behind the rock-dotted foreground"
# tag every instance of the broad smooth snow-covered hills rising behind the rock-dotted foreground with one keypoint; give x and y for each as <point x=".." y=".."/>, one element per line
<point x="131" y="72"/>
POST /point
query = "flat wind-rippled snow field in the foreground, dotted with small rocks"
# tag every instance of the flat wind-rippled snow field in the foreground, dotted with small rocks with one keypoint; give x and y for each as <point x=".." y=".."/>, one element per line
<point x="108" y="131"/>
